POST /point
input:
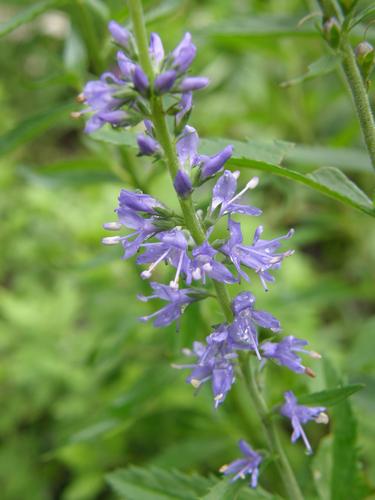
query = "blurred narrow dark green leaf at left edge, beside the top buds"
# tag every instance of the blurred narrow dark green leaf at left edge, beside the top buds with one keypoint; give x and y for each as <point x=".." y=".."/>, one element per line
<point x="34" y="126"/>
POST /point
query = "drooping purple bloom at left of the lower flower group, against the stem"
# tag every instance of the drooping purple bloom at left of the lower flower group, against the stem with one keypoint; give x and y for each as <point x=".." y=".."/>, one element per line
<point x="215" y="363"/>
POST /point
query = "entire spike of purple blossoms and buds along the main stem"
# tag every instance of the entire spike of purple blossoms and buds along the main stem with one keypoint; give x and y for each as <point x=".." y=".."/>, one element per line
<point x="126" y="96"/>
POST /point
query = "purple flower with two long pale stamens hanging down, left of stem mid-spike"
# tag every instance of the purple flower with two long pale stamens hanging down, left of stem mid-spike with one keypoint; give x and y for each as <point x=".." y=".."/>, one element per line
<point x="172" y="249"/>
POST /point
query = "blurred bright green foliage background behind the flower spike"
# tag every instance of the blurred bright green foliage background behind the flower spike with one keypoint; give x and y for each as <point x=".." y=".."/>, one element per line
<point x="85" y="388"/>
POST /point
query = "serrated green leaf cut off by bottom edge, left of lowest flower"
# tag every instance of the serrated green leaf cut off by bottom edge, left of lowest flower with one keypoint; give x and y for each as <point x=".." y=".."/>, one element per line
<point x="135" y="483"/>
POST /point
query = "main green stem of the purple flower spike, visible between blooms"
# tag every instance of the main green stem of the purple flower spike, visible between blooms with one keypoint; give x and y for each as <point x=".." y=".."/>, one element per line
<point x="193" y="224"/>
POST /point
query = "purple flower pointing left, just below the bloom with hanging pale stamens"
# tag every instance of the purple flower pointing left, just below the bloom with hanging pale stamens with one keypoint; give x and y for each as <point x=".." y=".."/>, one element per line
<point x="177" y="300"/>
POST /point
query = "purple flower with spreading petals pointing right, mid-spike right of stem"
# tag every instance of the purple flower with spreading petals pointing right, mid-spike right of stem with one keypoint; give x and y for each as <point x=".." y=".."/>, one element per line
<point x="259" y="256"/>
